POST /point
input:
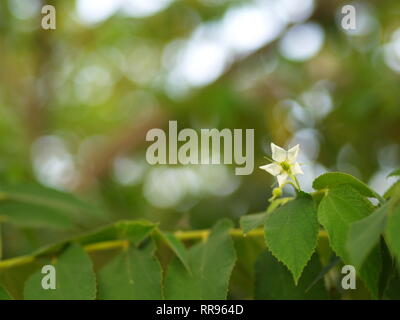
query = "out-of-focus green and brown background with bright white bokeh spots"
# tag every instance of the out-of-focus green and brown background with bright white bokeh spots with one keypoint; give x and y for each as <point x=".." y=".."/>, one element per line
<point x="77" y="102"/>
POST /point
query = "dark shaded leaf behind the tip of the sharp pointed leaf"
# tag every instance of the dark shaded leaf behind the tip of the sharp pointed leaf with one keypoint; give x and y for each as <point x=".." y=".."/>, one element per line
<point x="274" y="281"/>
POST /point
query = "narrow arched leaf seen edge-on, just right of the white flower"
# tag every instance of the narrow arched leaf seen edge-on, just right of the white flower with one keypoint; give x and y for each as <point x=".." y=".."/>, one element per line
<point x="333" y="179"/>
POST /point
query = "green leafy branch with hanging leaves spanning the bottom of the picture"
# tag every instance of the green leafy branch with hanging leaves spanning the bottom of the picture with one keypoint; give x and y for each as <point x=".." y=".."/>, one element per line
<point x="308" y="238"/>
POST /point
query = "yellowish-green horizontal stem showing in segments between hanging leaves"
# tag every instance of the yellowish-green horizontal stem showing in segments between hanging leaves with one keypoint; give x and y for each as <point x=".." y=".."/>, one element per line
<point x="115" y="244"/>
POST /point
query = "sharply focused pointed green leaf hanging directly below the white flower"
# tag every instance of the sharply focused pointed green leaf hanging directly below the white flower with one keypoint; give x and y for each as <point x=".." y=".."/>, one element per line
<point x="291" y="233"/>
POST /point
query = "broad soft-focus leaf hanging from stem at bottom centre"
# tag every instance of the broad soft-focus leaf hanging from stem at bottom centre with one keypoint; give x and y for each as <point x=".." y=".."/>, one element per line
<point x="211" y="264"/>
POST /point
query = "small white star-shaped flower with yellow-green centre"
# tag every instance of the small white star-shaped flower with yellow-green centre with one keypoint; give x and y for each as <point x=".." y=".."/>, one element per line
<point x="284" y="165"/>
